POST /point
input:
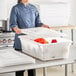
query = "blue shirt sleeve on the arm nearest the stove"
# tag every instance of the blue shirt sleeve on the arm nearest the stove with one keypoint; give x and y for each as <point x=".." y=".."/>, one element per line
<point x="13" y="18"/>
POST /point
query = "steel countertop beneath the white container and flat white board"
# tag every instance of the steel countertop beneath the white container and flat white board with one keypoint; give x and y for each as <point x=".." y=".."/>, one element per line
<point x="41" y="64"/>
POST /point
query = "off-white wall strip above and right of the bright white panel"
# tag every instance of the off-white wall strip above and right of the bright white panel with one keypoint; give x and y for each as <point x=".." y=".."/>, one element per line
<point x="72" y="5"/>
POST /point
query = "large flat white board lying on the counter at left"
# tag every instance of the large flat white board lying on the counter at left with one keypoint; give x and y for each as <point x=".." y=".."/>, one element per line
<point x="9" y="57"/>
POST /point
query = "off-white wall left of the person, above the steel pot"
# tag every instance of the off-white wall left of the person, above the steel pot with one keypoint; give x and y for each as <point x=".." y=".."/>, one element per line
<point x="5" y="7"/>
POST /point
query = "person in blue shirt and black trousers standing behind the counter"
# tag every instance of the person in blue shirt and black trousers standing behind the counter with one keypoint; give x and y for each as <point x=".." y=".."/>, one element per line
<point x="24" y="15"/>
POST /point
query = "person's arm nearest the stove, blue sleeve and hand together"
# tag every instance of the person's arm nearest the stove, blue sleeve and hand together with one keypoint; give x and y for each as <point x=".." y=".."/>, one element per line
<point x="13" y="21"/>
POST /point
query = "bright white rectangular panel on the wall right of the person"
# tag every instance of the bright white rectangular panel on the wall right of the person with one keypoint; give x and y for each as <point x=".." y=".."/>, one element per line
<point x="55" y="14"/>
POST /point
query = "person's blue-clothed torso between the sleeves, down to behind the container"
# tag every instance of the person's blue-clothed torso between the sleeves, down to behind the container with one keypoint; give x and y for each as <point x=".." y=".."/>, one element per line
<point x="25" y="19"/>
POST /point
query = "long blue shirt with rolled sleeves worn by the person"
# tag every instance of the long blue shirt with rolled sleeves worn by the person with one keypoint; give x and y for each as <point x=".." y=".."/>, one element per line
<point x="24" y="17"/>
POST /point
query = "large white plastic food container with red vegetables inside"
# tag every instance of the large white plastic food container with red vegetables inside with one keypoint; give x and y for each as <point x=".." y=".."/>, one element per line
<point x="48" y="51"/>
